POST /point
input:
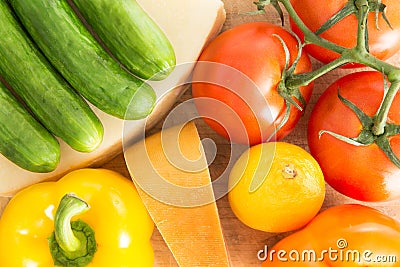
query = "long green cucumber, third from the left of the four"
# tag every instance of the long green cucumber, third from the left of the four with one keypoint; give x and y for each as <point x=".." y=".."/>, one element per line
<point x="71" y="48"/>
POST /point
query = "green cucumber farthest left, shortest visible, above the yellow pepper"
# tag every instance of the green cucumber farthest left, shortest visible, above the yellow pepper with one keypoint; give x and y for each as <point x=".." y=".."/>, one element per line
<point x="23" y="140"/>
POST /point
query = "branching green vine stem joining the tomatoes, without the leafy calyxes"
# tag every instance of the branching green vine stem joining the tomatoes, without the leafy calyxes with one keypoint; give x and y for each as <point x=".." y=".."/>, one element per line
<point x="358" y="54"/>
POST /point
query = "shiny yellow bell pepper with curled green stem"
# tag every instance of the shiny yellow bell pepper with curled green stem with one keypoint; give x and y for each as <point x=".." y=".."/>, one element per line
<point x="90" y="217"/>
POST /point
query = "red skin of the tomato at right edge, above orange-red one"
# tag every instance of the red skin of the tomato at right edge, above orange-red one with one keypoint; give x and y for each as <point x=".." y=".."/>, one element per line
<point x="360" y="172"/>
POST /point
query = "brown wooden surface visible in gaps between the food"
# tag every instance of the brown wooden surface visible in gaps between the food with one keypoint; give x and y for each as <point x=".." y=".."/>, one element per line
<point x="243" y="243"/>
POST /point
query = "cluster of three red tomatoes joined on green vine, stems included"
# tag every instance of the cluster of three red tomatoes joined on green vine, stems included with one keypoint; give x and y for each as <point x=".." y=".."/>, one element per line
<point x="353" y="130"/>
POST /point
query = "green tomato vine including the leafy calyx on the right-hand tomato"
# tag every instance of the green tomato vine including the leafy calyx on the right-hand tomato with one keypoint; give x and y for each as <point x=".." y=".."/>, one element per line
<point x="378" y="125"/>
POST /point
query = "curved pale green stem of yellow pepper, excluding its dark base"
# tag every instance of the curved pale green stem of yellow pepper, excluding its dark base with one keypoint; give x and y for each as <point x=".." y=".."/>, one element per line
<point x="69" y="207"/>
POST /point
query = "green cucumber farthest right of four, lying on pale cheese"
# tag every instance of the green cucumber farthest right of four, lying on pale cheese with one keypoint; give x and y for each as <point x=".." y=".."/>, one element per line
<point x="131" y="36"/>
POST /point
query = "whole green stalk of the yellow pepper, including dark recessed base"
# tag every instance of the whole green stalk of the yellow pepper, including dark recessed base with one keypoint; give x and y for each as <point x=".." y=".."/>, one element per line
<point x="72" y="243"/>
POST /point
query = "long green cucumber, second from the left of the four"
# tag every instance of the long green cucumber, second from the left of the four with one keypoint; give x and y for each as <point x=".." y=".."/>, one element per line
<point x="53" y="101"/>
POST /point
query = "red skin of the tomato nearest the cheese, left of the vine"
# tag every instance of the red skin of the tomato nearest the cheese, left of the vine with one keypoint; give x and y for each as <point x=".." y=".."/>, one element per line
<point x="238" y="97"/>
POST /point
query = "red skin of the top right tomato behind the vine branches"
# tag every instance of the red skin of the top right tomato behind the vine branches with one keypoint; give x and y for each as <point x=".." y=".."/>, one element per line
<point x="383" y="43"/>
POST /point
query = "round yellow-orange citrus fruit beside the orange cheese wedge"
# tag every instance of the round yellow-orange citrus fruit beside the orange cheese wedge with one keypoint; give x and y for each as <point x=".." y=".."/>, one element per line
<point x="276" y="187"/>
